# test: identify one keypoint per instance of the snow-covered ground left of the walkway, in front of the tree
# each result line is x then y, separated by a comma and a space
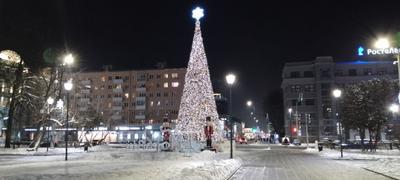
114, 162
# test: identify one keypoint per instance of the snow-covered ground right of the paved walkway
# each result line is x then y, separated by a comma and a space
386, 162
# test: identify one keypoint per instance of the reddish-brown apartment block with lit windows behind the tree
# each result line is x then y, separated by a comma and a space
126, 98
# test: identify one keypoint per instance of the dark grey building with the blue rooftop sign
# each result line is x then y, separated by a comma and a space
307, 92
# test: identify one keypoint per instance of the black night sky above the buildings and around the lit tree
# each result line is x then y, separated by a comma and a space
250, 38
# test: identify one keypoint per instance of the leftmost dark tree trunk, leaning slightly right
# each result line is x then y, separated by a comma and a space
13, 104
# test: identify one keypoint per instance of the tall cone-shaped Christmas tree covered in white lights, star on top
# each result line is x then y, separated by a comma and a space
197, 101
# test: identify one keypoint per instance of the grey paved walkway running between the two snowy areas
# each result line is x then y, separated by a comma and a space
290, 163
